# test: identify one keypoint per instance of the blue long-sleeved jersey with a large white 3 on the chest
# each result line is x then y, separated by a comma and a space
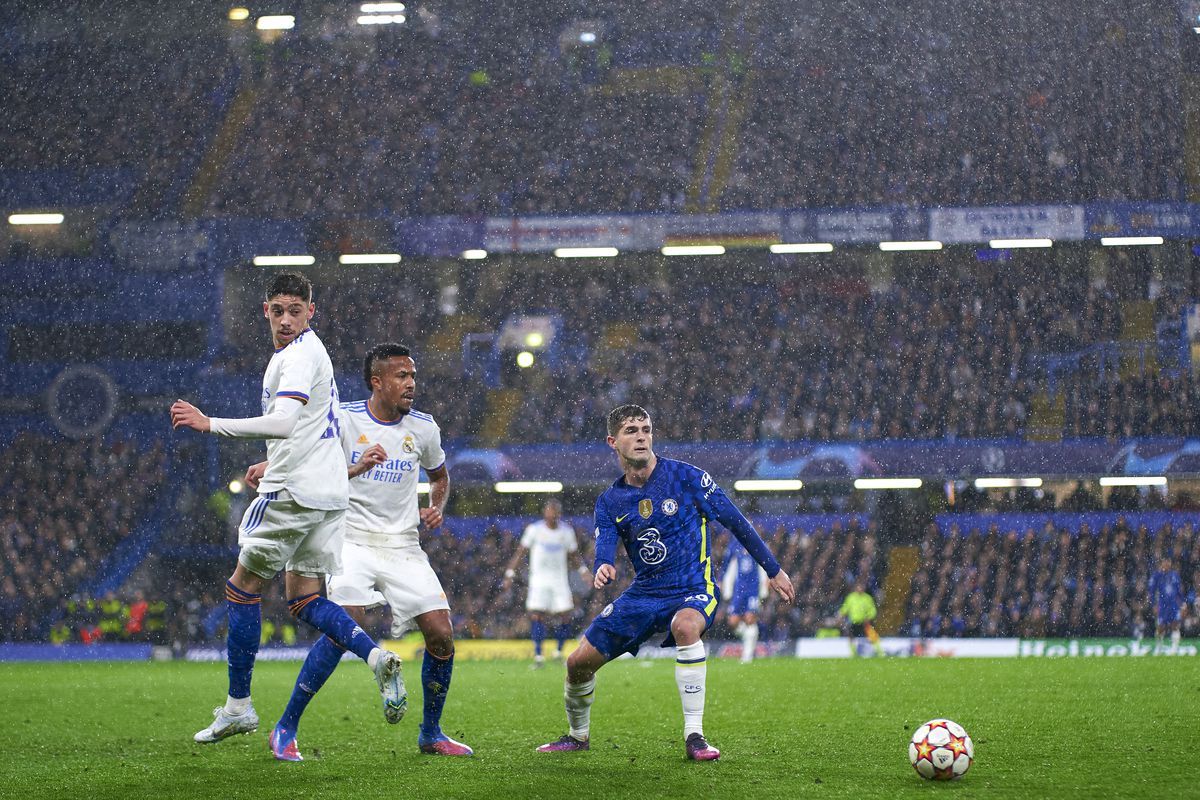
665, 528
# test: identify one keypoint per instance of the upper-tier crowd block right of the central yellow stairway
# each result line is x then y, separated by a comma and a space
959, 105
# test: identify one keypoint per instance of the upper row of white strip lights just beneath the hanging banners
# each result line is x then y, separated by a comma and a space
712, 250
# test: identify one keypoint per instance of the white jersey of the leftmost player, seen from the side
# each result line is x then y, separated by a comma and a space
309, 465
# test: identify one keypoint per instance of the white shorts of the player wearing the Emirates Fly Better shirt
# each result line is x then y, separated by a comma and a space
398, 576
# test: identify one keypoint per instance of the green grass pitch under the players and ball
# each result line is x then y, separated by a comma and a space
1066, 729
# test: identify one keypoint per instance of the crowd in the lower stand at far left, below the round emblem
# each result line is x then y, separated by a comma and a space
64, 508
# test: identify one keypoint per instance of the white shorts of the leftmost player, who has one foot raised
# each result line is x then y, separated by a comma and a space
278, 534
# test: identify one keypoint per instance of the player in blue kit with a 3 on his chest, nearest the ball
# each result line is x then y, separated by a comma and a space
659, 510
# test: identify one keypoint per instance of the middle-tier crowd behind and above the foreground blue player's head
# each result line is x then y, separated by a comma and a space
937, 358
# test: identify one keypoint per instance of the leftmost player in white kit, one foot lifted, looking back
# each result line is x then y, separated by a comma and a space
296, 524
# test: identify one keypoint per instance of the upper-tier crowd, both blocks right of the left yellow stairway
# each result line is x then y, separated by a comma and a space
844, 106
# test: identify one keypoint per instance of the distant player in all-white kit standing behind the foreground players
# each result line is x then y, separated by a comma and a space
548, 543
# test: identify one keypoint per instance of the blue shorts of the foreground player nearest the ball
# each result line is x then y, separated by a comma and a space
627, 623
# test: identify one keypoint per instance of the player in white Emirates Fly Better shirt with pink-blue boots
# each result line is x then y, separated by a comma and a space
387, 443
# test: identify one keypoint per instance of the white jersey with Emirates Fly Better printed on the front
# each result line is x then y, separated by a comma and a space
383, 501
